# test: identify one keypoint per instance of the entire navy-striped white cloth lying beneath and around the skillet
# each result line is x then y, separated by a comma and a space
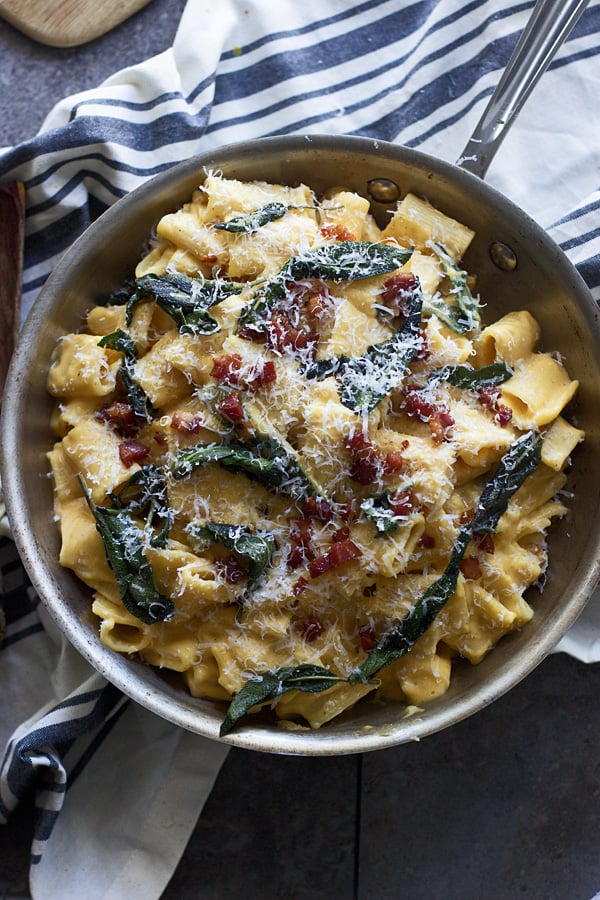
416, 72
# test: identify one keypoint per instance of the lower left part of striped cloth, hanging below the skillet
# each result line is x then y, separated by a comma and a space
135, 784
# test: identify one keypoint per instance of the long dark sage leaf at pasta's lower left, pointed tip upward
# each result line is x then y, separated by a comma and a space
124, 548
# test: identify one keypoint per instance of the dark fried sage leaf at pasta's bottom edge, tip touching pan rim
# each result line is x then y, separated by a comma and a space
263, 688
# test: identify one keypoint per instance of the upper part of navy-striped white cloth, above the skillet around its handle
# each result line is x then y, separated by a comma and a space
415, 73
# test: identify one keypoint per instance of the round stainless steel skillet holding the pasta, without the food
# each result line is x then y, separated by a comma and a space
542, 280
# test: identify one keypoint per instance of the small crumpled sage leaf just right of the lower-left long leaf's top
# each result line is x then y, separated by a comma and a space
145, 495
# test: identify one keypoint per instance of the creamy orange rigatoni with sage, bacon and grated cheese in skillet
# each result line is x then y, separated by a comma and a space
293, 463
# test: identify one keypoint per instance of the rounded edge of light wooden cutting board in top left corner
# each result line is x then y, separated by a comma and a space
67, 23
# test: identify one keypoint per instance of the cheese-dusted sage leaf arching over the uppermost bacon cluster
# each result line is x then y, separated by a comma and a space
339, 261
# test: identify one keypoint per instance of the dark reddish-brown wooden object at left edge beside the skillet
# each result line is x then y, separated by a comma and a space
12, 219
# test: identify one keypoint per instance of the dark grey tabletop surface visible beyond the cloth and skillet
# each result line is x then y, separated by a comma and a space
502, 806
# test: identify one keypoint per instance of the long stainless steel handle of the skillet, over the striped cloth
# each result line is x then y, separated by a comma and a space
550, 23
